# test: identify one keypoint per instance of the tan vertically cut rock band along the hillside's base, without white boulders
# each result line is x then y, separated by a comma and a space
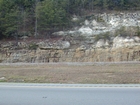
93, 55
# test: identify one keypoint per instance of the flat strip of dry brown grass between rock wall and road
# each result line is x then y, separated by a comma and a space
63, 73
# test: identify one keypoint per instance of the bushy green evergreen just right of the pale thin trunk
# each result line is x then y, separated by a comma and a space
51, 15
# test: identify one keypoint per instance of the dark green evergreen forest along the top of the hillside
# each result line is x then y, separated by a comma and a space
41, 17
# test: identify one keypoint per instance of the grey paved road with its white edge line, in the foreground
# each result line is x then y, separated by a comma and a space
69, 94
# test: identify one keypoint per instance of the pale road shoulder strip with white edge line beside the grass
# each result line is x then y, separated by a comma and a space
33, 85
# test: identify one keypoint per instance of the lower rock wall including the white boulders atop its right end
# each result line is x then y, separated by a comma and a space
123, 49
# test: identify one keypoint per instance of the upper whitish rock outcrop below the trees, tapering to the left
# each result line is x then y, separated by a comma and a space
101, 23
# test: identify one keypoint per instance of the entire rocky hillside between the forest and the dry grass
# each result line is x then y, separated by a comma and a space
104, 37
